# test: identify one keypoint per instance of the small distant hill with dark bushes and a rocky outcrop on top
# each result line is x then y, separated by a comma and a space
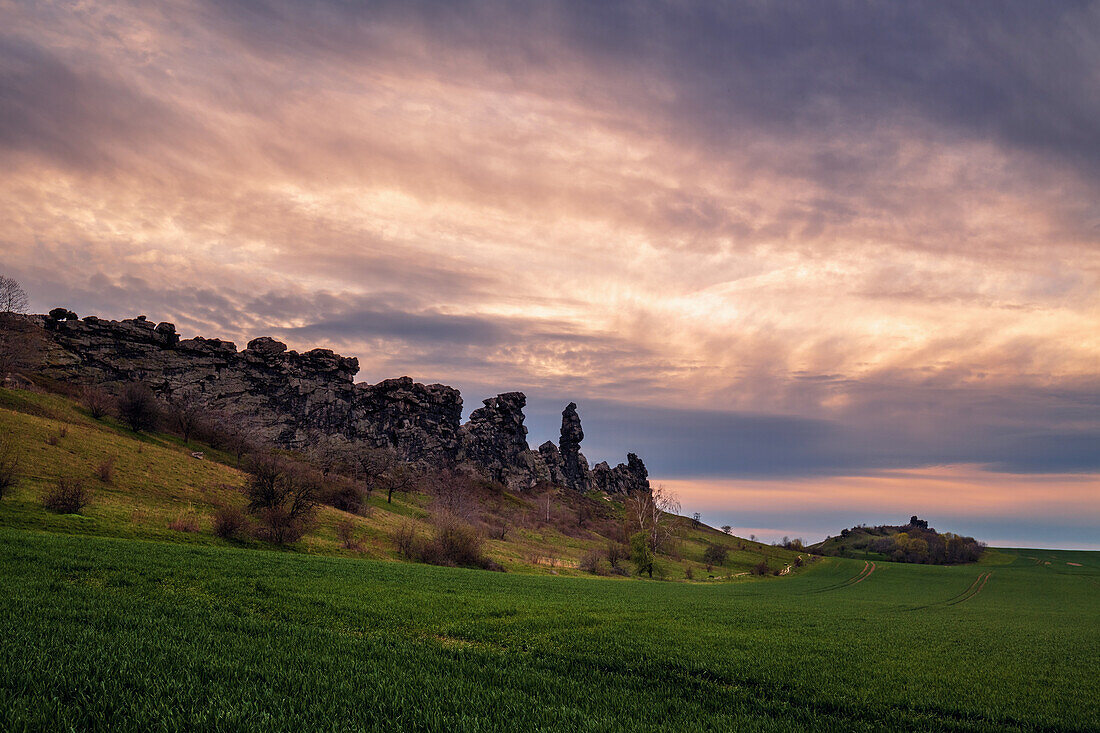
915, 542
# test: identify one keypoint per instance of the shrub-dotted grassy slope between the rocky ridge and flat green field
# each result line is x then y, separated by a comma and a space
155, 480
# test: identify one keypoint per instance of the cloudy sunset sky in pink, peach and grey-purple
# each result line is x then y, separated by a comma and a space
818, 264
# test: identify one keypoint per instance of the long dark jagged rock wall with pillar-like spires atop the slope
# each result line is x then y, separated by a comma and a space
290, 396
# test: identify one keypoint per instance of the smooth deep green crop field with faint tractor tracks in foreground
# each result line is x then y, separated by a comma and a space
166, 637
